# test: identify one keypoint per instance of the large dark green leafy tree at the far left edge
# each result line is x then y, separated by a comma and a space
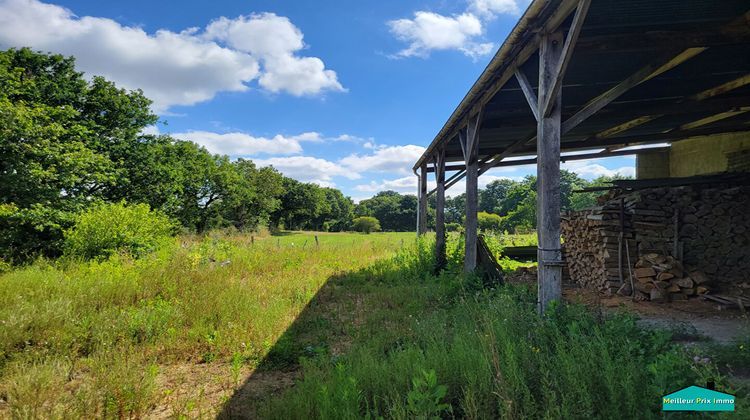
57, 136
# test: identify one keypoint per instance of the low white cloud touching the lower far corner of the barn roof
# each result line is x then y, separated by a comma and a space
395, 159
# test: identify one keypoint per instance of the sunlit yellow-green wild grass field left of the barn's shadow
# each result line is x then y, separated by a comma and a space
89, 339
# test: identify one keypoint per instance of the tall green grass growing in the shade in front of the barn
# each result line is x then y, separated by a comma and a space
490, 354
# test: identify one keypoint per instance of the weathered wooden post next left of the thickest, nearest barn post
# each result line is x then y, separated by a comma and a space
470, 146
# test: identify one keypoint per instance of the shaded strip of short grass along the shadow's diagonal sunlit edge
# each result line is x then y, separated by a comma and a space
321, 328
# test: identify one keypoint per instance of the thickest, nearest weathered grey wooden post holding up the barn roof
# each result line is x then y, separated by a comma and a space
548, 175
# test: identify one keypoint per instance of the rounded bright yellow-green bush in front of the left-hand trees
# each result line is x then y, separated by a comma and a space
109, 228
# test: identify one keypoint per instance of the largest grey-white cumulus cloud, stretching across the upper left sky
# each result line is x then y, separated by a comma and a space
173, 68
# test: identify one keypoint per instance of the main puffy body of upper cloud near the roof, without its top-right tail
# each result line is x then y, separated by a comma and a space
429, 31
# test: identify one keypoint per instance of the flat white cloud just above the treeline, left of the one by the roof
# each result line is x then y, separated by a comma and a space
309, 169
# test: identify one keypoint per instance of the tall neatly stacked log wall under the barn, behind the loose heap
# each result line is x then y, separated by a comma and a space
706, 228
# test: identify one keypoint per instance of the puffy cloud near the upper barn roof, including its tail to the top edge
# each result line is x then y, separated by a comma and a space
429, 31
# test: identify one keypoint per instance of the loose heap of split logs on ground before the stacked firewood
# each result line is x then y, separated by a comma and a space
660, 278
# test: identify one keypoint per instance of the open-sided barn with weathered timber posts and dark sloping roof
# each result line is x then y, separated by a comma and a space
582, 79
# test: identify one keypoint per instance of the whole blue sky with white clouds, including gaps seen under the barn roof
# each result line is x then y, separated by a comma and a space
341, 93
